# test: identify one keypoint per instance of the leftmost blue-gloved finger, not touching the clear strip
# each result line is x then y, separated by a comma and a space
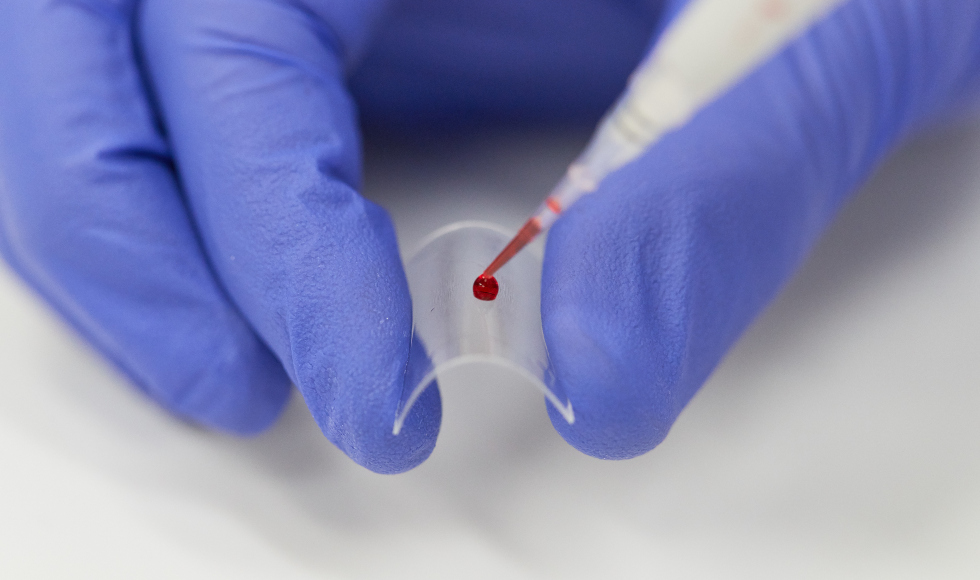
92, 218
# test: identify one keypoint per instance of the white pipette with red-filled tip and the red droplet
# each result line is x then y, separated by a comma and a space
711, 45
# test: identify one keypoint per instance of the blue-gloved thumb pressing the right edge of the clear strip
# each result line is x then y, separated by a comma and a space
648, 281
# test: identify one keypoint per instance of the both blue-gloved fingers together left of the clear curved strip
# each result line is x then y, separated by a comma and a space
178, 178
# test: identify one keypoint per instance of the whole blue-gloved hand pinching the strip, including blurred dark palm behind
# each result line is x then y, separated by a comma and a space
186, 195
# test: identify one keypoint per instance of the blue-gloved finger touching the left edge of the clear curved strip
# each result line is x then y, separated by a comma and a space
264, 133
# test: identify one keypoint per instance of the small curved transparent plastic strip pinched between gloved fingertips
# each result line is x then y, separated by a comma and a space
453, 328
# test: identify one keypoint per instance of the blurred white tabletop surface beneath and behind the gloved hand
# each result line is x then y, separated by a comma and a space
838, 440
